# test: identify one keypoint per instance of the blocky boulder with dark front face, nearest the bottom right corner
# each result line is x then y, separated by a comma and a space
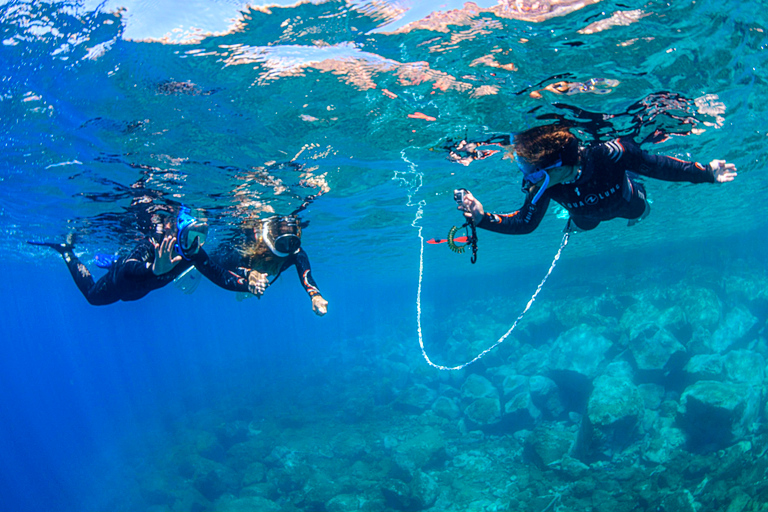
715, 414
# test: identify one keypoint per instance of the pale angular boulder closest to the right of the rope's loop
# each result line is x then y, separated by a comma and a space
581, 350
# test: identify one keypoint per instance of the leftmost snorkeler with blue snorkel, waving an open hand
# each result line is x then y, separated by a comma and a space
174, 247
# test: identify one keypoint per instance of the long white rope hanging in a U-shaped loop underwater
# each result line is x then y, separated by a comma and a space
419, 214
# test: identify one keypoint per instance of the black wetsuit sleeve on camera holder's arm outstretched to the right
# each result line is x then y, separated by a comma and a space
629, 154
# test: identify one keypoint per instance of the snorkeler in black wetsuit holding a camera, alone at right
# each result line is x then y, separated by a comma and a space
594, 184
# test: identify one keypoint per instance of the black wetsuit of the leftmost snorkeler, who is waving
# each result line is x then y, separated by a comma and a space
131, 277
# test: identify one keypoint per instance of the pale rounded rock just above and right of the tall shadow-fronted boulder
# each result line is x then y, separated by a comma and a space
655, 348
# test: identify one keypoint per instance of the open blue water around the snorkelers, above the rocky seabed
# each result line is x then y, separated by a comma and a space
234, 109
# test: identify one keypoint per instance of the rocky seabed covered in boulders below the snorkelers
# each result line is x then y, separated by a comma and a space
651, 398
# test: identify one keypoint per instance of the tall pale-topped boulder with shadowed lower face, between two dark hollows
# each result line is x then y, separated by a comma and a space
613, 411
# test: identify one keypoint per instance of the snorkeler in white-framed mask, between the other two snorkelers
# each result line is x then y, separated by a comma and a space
267, 247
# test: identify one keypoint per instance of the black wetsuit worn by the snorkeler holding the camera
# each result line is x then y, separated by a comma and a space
605, 189
